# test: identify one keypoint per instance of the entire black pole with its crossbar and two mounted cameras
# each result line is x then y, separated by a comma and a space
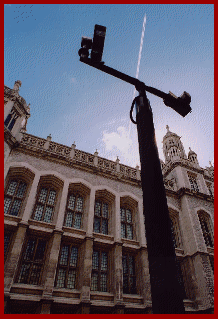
165, 289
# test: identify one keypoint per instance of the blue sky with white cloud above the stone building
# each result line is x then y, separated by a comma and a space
77, 103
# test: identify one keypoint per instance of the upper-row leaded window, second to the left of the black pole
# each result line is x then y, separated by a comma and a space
101, 217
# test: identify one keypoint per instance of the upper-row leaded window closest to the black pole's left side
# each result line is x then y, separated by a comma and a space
126, 223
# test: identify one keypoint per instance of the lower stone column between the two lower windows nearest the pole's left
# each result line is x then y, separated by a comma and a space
118, 274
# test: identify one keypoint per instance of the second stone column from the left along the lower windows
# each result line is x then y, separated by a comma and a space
51, 262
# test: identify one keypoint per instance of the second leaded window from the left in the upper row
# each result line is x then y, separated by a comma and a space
44, 208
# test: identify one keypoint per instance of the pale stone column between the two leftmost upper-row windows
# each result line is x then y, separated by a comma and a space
31, 198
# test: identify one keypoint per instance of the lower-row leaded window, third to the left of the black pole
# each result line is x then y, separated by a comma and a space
67, 267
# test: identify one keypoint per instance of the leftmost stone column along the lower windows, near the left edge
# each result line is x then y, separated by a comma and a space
12, 261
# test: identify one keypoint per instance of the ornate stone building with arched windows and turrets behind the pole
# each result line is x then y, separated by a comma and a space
74, 231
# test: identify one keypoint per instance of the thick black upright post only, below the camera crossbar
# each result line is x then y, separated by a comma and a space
165, 289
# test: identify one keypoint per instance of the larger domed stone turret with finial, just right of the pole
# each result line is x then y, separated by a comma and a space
172, 147
